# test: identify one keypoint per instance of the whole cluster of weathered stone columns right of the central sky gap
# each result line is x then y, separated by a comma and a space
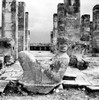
69, 25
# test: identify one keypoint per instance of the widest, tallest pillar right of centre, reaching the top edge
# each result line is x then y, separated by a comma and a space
72, 19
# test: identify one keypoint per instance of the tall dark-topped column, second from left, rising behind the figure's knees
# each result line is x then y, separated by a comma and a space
21, 26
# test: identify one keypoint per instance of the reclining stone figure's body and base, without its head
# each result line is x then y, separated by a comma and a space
40, 80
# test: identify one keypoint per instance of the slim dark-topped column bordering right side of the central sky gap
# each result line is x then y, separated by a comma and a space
55, 32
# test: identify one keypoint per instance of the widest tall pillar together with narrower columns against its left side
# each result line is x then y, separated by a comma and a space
68, 22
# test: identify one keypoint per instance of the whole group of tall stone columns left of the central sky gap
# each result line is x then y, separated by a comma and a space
15, 24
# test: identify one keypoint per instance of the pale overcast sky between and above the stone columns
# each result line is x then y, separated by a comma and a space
41, 16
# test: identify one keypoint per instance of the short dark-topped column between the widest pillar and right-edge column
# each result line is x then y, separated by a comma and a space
85, 27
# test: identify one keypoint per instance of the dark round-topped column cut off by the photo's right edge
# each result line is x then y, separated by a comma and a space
96, 28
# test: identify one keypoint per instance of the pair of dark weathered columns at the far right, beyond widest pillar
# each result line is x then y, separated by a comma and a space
90, 30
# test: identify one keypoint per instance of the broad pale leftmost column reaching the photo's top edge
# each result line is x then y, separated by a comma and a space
9, 19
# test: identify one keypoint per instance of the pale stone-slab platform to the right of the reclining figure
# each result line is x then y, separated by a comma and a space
88, 78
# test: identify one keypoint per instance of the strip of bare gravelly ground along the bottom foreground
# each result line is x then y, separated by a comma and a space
71, 94
